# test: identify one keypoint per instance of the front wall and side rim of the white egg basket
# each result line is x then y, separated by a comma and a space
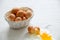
17, 25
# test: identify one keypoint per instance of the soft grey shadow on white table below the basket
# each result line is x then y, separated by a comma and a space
16, 34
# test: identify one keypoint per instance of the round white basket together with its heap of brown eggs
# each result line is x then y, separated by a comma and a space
19, 17
